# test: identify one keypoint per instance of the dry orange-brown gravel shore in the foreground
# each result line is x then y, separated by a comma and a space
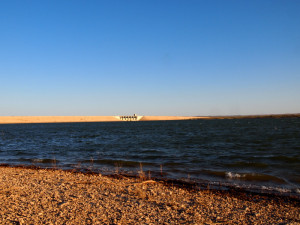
40, 196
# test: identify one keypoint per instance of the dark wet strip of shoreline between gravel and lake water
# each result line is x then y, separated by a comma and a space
188, 184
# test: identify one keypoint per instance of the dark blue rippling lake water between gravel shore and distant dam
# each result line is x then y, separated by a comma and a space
259, 153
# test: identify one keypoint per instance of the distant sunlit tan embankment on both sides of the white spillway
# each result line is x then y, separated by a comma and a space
78, 119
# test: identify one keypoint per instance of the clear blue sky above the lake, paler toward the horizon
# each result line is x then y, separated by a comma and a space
158, 57
